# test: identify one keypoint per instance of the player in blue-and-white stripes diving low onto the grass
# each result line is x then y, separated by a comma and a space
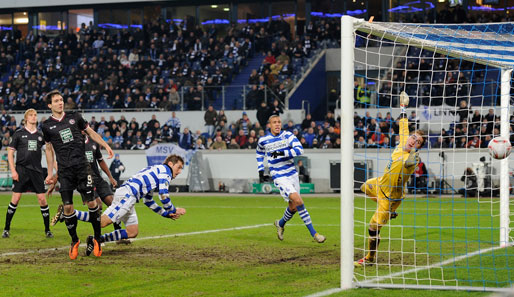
141, 187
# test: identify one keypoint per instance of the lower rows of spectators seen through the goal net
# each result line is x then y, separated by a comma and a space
471, 128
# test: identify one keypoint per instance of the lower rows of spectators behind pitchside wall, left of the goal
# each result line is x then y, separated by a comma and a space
219, 133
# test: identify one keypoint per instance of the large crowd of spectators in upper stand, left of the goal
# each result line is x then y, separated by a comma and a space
141, 68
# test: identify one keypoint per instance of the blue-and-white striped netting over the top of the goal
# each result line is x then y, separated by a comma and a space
490, 44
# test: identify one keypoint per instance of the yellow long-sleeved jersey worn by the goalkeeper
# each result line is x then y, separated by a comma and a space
400, 167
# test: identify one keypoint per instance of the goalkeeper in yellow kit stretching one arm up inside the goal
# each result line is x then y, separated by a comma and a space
388, 189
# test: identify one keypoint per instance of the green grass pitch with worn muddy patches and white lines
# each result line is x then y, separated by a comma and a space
204, 254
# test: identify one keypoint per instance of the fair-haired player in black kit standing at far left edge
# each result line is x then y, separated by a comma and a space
27, 173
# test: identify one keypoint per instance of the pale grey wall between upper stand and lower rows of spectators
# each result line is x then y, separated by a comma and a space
190, 119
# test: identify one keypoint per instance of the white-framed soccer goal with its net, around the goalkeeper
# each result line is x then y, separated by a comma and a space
452, 230
